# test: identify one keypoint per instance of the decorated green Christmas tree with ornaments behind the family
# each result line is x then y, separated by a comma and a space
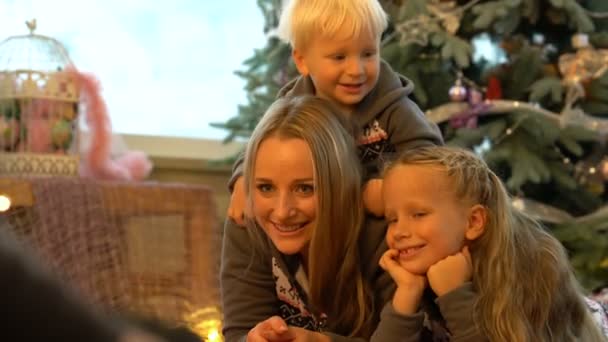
535, 104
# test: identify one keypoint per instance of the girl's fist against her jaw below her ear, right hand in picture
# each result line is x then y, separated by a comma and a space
450, 272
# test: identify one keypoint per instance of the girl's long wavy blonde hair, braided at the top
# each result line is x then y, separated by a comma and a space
526, 288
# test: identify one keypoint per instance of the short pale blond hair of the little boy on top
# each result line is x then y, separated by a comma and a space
301, 20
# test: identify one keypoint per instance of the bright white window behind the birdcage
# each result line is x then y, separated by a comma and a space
166, 67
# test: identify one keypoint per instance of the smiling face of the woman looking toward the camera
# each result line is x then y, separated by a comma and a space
284, 196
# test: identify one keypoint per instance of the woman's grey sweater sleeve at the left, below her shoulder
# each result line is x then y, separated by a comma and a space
246, 283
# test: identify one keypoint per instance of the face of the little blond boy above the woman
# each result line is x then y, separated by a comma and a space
344, 69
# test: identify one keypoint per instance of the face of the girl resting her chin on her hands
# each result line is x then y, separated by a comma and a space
426, 221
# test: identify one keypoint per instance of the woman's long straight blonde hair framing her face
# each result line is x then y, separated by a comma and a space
336, 284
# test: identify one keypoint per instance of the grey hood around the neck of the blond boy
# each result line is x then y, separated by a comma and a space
390, 88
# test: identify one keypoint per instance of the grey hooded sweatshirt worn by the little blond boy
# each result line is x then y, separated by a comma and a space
388, 121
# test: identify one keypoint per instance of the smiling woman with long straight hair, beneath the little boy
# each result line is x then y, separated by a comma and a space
305, 263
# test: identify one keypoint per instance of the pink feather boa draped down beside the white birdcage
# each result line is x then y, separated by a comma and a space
97, 162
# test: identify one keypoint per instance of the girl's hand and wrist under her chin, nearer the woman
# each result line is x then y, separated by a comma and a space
409, 286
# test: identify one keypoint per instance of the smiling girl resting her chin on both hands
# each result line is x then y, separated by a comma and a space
494, 273
